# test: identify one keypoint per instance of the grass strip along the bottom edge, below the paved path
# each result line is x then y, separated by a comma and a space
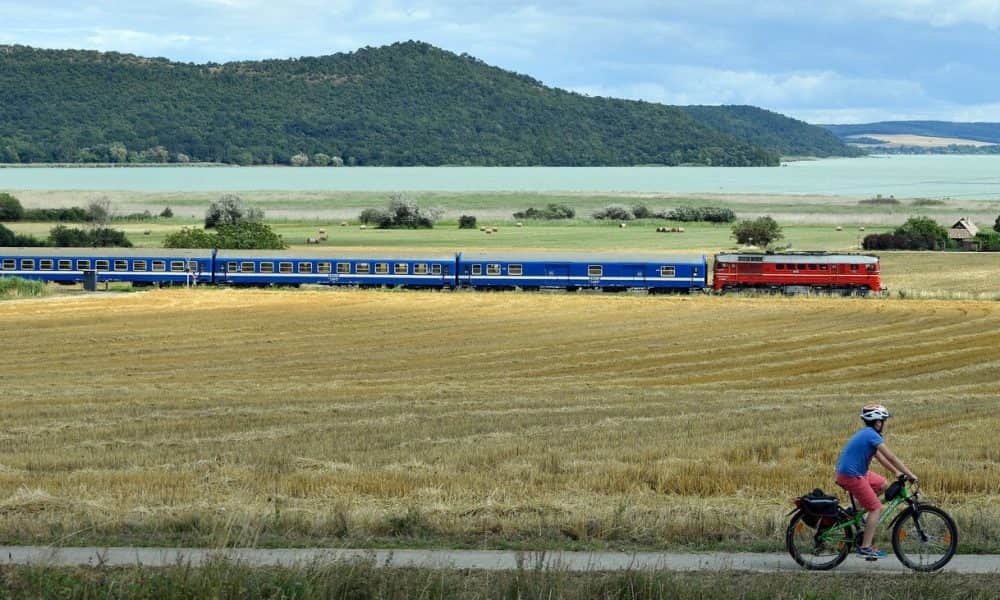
364, 579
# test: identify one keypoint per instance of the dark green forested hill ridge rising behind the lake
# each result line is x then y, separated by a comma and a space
405, 104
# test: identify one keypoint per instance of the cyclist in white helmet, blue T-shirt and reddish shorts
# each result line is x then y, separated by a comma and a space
854, 476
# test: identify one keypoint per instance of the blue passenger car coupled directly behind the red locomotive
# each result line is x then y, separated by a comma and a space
609, 272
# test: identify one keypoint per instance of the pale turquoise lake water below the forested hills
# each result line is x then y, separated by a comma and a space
967, 177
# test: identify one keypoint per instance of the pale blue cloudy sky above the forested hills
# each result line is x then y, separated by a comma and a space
833, 61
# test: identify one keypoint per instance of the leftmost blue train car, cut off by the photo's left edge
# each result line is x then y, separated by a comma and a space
136, 265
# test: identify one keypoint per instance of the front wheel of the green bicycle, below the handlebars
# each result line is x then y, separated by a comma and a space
924, 538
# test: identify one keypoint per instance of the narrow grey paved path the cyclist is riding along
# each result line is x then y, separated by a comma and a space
462, 559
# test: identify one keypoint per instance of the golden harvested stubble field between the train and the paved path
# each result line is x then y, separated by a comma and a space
347, 417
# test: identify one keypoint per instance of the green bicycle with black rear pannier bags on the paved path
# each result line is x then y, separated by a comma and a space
924, 537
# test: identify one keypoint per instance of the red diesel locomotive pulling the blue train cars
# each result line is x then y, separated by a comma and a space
797, 272
